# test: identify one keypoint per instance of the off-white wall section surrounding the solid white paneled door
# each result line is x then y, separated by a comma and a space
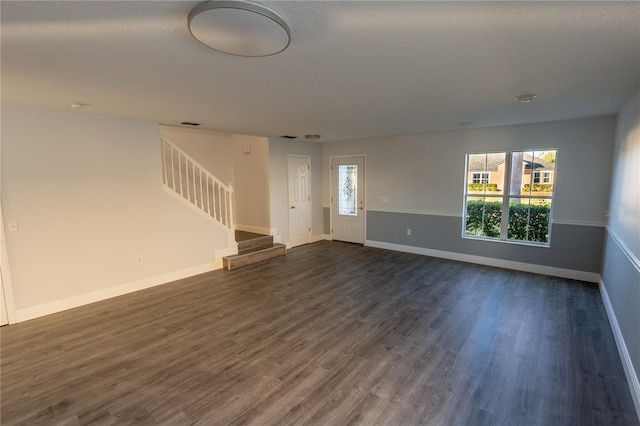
278, 185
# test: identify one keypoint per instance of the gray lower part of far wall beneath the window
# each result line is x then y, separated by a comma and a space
575, 247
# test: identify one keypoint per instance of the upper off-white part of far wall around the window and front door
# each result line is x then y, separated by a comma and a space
425, 173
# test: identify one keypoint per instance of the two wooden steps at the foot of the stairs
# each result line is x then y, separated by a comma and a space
253, 248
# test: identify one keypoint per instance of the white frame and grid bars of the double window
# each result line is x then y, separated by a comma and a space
506, 196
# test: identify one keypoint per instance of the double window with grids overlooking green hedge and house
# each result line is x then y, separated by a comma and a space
516, 207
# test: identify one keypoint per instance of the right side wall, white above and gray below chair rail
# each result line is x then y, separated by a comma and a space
620, 264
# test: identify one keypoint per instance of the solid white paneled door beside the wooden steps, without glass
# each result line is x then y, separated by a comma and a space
299, 200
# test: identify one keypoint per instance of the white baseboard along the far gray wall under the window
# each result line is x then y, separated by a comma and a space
500, 263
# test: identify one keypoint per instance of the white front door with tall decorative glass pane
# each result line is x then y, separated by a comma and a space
347, 199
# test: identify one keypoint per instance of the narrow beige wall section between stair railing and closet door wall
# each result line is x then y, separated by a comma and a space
251, 190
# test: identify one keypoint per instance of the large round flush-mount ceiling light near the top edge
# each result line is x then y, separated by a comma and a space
239, 28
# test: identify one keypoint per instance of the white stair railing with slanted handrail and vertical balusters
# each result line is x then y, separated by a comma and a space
183, 176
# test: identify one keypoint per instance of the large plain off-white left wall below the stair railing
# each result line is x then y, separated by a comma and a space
86, 193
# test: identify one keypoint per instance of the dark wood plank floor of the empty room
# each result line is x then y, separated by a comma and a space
331, 334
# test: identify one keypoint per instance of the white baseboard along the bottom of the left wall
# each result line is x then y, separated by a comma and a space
107, 293
